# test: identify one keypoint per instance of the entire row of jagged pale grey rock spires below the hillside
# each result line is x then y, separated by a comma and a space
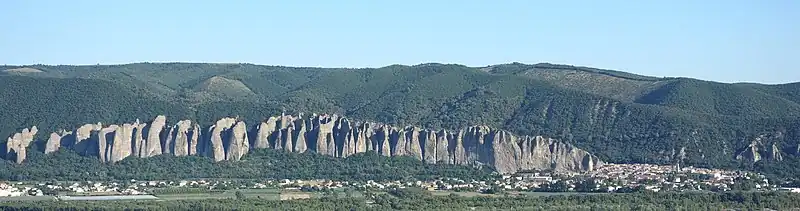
332, 135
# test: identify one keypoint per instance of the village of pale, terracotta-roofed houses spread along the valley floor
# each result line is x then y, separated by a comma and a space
611, 178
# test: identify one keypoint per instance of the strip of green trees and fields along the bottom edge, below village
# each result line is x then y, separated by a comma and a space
415, 199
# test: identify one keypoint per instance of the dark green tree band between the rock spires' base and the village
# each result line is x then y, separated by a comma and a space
66, 165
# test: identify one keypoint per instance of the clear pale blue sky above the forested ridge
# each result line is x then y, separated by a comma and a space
721, 40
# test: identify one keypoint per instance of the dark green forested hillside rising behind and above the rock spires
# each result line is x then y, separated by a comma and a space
618, 116
